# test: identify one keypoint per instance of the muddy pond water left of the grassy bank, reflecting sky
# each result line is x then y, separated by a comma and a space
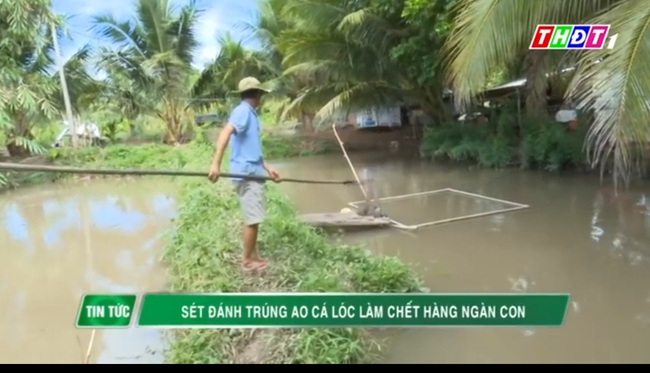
60, 241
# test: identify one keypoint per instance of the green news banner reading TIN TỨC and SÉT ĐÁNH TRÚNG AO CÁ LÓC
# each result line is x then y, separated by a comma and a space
299, 310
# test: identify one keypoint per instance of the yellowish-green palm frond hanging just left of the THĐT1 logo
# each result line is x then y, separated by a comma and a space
489, 34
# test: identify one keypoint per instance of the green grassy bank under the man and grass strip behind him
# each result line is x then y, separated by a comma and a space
203, 255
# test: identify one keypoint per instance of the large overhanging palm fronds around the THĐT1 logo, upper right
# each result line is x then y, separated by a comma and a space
613, 84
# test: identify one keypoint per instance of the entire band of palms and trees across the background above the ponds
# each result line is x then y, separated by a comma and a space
336, 55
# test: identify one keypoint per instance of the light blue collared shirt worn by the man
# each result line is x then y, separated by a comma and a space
246, 143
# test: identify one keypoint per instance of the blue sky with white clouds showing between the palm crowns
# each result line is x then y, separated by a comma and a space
218, 17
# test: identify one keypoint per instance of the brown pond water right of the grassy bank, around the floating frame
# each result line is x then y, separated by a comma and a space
575, 237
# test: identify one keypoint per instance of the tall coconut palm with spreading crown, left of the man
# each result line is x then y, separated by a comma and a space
154, 50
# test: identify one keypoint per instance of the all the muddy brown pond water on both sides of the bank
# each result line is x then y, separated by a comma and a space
60, 241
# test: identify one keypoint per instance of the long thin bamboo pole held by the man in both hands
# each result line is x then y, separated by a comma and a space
86, 171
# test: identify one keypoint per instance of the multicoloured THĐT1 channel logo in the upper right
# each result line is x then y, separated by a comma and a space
572, 37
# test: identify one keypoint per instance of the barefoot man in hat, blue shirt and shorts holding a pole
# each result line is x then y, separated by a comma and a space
246, 158
